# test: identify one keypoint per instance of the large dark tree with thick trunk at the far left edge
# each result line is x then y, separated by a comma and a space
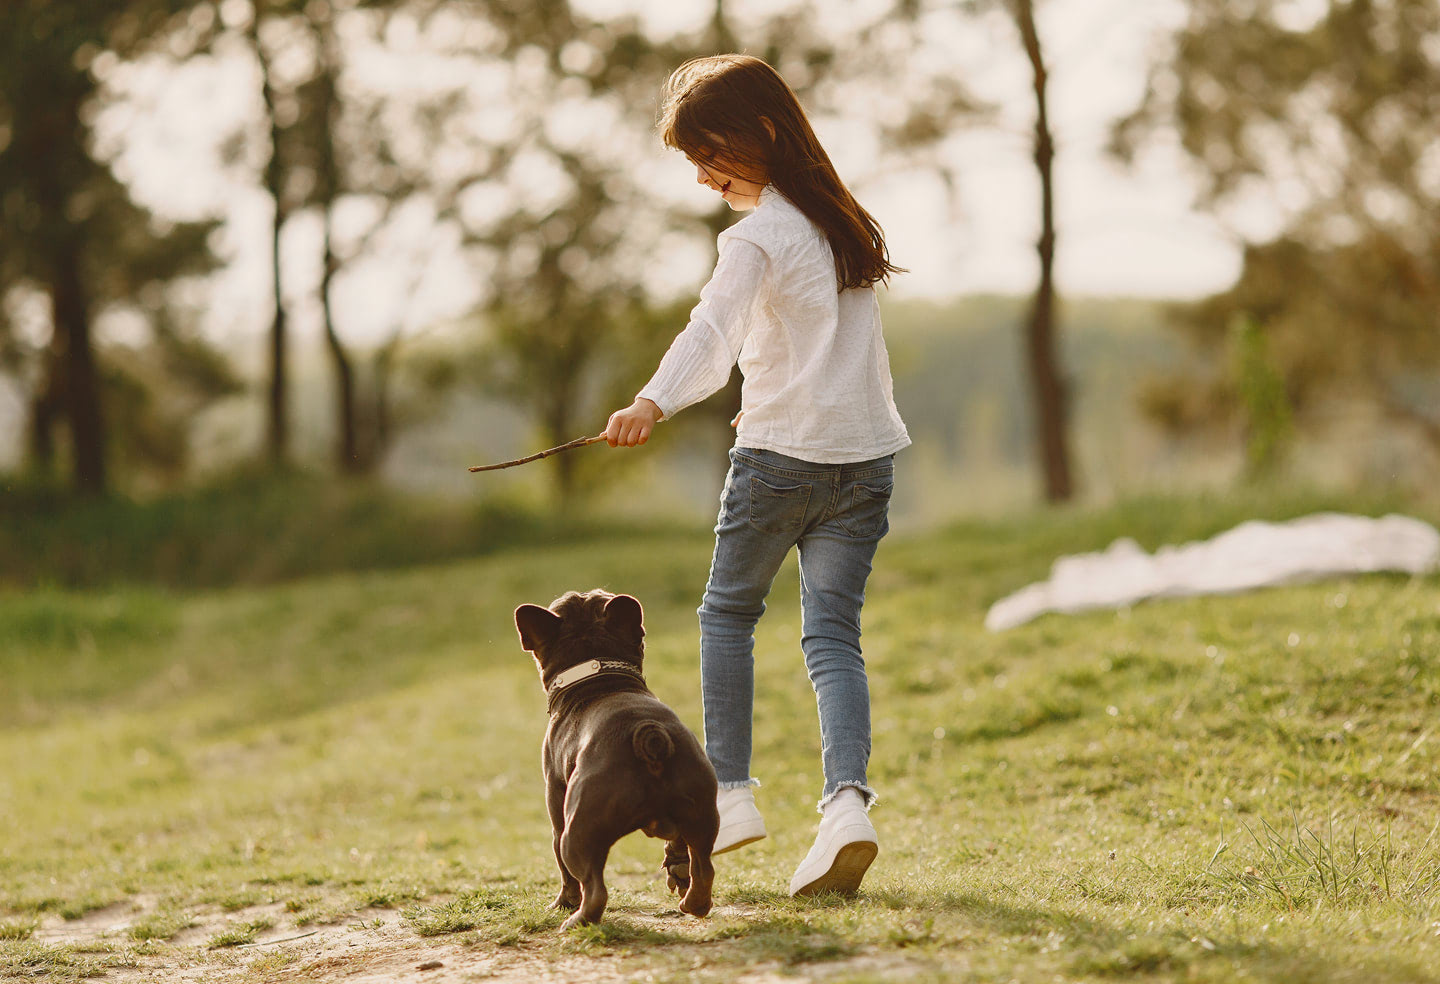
70, 228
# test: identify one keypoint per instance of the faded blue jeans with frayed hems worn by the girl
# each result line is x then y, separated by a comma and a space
836, 516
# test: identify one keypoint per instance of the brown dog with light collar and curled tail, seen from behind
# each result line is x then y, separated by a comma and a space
616, 759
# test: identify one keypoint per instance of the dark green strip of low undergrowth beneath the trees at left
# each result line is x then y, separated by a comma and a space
257, 529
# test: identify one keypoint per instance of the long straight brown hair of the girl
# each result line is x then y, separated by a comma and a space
737, 115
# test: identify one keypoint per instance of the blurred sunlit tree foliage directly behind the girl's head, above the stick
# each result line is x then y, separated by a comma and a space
572, 313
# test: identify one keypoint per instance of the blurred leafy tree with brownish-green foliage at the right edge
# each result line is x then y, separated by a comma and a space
1327, 126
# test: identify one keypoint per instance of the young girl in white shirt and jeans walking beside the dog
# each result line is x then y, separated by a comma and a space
793, 300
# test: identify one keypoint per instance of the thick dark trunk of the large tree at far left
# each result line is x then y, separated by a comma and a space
70, 309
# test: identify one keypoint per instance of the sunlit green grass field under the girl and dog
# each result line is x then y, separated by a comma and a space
1206, 790
